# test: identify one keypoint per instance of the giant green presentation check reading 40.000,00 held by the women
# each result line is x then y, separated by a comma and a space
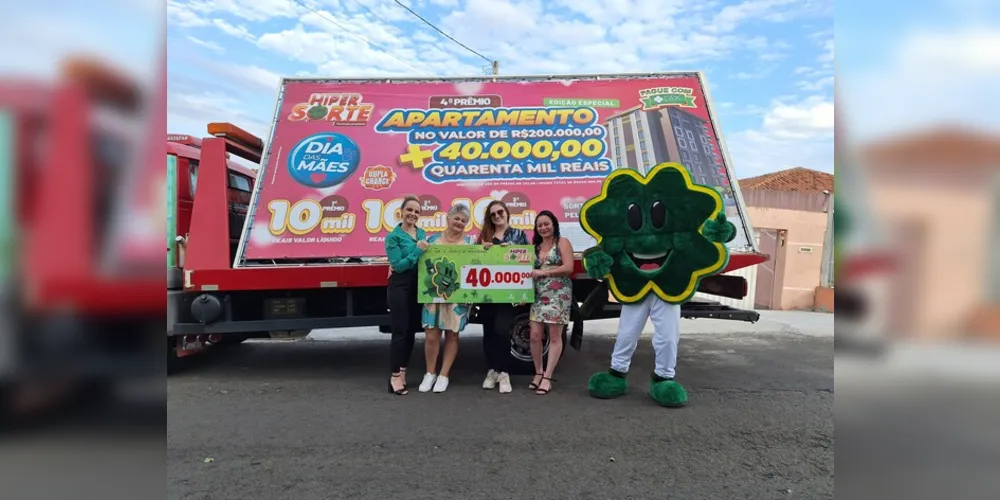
470, 274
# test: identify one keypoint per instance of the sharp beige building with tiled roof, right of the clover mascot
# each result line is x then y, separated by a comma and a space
788, 210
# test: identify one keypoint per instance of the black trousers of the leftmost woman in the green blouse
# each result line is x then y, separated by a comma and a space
404, 317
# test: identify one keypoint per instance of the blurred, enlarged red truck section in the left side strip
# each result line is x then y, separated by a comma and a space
82, 303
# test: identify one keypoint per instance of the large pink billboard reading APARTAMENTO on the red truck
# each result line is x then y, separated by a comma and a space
343, 154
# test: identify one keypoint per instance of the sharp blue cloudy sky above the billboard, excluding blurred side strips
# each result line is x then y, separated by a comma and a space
769, 63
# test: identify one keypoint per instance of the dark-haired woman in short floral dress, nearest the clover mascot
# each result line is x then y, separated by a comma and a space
553, 297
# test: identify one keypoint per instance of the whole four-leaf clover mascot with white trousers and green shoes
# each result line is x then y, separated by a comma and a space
657, 237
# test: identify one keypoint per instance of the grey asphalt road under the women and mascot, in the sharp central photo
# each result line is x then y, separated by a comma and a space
311, 419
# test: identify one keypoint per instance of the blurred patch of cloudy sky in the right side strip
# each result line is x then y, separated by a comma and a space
906, 67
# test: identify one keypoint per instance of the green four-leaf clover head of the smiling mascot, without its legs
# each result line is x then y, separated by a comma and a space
660, 233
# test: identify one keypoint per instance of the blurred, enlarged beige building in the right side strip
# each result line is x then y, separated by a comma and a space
936, 195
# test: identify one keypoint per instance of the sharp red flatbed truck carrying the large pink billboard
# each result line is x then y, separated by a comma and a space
343, 153
